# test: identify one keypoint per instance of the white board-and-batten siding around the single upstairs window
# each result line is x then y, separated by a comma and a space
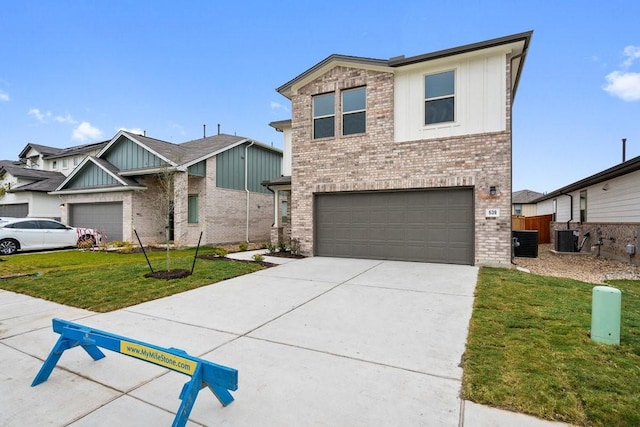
480, 92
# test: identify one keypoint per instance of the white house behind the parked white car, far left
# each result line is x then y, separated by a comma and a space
25, 184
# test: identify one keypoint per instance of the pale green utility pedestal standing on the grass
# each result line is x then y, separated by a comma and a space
605, 315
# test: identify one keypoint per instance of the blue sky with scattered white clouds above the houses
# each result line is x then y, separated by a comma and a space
74, 72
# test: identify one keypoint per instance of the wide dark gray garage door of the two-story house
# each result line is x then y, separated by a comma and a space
427, 225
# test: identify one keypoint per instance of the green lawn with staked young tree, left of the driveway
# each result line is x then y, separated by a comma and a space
106, 281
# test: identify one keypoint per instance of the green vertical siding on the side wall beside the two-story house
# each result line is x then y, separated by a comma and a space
262, 164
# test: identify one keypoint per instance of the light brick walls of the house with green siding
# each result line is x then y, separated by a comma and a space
222, 212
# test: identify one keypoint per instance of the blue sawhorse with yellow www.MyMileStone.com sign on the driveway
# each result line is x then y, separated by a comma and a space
219, 379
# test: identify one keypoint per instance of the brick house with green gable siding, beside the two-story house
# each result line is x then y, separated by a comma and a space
215, 190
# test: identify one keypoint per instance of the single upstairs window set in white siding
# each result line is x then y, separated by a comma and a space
439, 95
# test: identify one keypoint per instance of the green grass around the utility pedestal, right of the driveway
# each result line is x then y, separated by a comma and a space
529, 351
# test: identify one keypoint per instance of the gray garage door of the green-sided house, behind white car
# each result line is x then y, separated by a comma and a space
105, 217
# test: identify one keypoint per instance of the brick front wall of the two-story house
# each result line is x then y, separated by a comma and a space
373, 161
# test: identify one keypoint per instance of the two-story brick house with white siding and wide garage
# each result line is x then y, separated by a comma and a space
406, 158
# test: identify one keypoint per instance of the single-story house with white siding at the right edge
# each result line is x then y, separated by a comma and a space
605, 205
